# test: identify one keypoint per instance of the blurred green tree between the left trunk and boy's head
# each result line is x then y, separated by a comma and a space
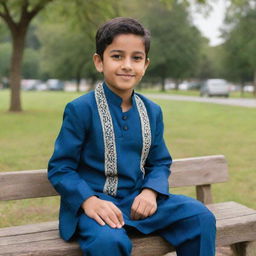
73, 39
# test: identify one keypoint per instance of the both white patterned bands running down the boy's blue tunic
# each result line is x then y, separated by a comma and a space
110, 155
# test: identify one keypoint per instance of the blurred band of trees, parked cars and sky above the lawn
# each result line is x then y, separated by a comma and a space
192, 41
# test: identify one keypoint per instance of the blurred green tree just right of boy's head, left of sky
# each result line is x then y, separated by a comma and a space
175, 43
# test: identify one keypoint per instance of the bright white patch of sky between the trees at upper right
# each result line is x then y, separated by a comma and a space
209, 26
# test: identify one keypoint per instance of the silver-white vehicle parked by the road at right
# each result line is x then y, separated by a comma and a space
215, 87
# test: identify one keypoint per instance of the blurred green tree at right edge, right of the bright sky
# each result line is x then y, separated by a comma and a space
240, 46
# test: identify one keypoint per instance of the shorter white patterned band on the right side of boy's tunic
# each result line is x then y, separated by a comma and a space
146, 131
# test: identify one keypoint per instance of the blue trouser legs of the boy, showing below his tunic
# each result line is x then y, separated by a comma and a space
193, 236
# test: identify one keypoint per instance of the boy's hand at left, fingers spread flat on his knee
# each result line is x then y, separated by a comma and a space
104, 212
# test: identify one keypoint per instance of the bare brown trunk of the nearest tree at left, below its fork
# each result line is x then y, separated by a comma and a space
18, 44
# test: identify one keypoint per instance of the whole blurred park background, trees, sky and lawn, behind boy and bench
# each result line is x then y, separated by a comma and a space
199, 49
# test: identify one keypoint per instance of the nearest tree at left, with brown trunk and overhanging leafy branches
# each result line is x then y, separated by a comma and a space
18, 14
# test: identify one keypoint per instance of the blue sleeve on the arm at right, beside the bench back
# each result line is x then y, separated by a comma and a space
157, 167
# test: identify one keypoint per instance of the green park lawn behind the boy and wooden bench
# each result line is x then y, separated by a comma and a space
191, 129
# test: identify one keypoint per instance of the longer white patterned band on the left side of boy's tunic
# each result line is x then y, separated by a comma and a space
111, 182
